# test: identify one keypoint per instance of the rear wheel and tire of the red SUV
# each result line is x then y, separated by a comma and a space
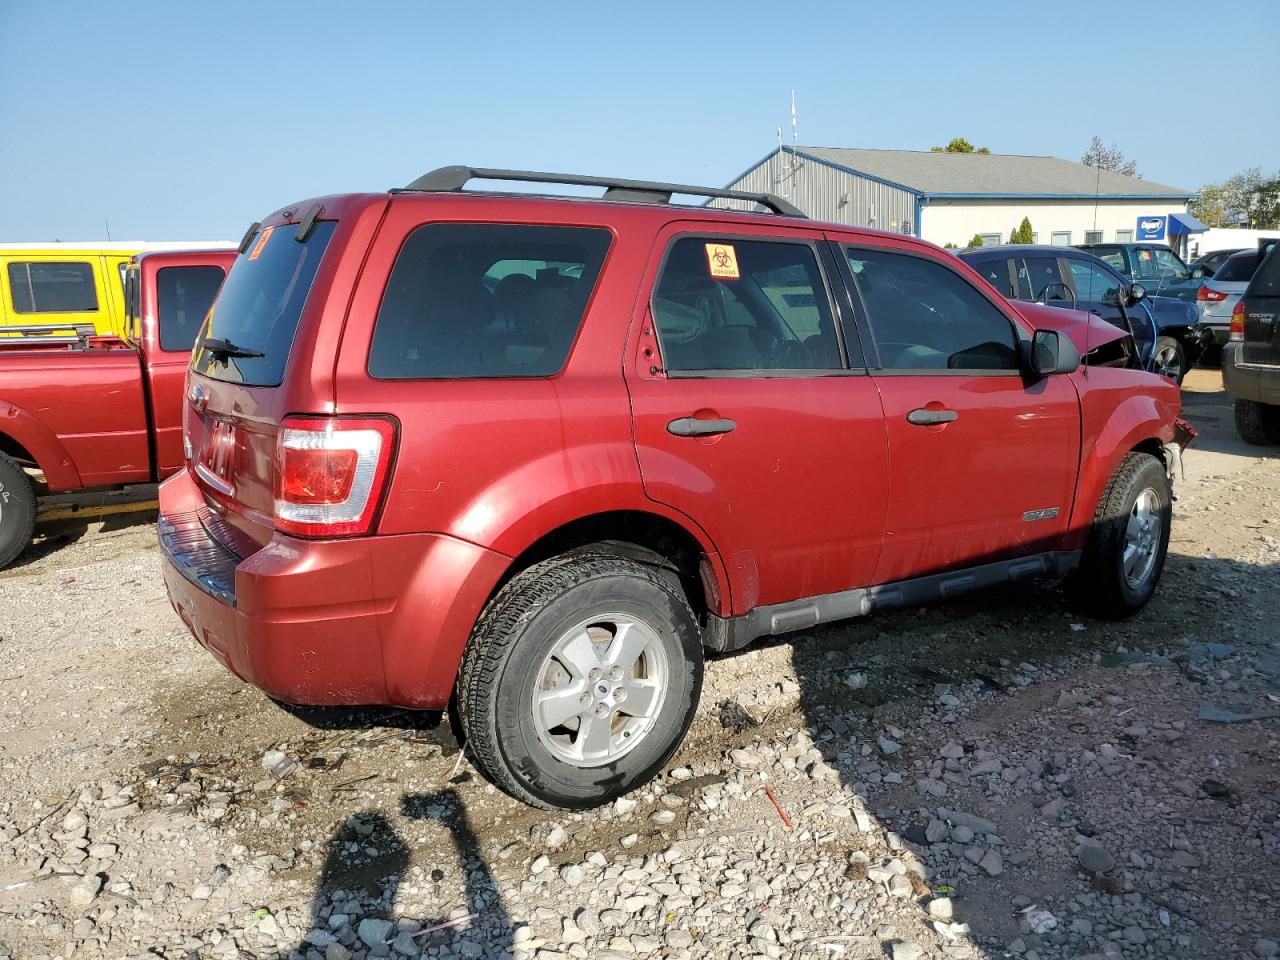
580, 680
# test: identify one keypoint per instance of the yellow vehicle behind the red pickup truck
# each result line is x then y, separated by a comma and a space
71, 284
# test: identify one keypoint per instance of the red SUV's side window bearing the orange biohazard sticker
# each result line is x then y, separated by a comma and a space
744, 305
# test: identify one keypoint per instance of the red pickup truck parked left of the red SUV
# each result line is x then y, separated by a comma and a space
80, 410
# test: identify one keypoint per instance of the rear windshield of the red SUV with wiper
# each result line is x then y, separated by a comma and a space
259, 307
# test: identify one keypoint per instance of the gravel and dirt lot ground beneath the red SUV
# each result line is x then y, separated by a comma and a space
1000, 776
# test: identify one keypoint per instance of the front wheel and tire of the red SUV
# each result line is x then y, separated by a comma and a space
1130, 540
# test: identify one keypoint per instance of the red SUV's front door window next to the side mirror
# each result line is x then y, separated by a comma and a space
925, 317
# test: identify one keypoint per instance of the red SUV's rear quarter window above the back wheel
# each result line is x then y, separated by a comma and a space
486, 300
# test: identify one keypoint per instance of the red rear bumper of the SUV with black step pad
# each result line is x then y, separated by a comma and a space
374, 620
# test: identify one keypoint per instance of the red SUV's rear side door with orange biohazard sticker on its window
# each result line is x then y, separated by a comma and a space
753, 413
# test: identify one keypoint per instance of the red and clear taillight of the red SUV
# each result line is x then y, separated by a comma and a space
331, 474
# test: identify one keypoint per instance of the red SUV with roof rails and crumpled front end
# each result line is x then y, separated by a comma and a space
537, 455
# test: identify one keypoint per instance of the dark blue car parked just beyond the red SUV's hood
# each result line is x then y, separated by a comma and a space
1067, 277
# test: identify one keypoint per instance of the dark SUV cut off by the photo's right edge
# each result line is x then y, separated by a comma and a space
1251, 360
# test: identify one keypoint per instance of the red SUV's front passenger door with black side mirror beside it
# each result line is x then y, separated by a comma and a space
984, 459
